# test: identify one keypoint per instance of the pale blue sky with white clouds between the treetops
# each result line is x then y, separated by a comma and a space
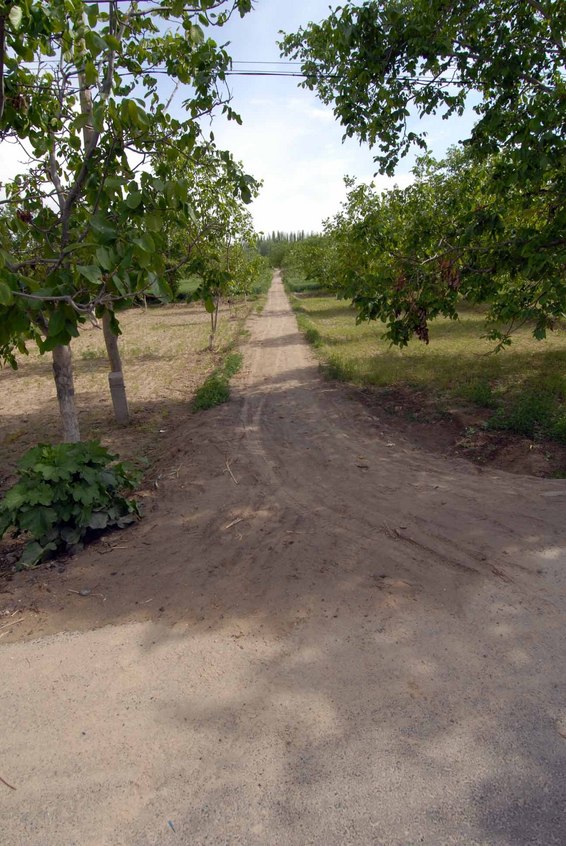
289, 139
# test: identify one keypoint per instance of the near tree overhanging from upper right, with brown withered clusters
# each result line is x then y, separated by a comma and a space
382, 63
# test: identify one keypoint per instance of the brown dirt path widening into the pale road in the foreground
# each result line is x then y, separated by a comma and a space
318, 635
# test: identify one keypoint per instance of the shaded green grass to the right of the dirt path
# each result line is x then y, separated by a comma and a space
524, 386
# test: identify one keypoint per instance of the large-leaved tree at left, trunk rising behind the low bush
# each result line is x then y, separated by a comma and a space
86, 226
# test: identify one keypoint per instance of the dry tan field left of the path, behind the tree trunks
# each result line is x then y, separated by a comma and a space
165, 358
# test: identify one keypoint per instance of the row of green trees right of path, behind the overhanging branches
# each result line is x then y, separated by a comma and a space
407, 256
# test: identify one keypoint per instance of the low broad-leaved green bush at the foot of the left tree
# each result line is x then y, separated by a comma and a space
63, 492
